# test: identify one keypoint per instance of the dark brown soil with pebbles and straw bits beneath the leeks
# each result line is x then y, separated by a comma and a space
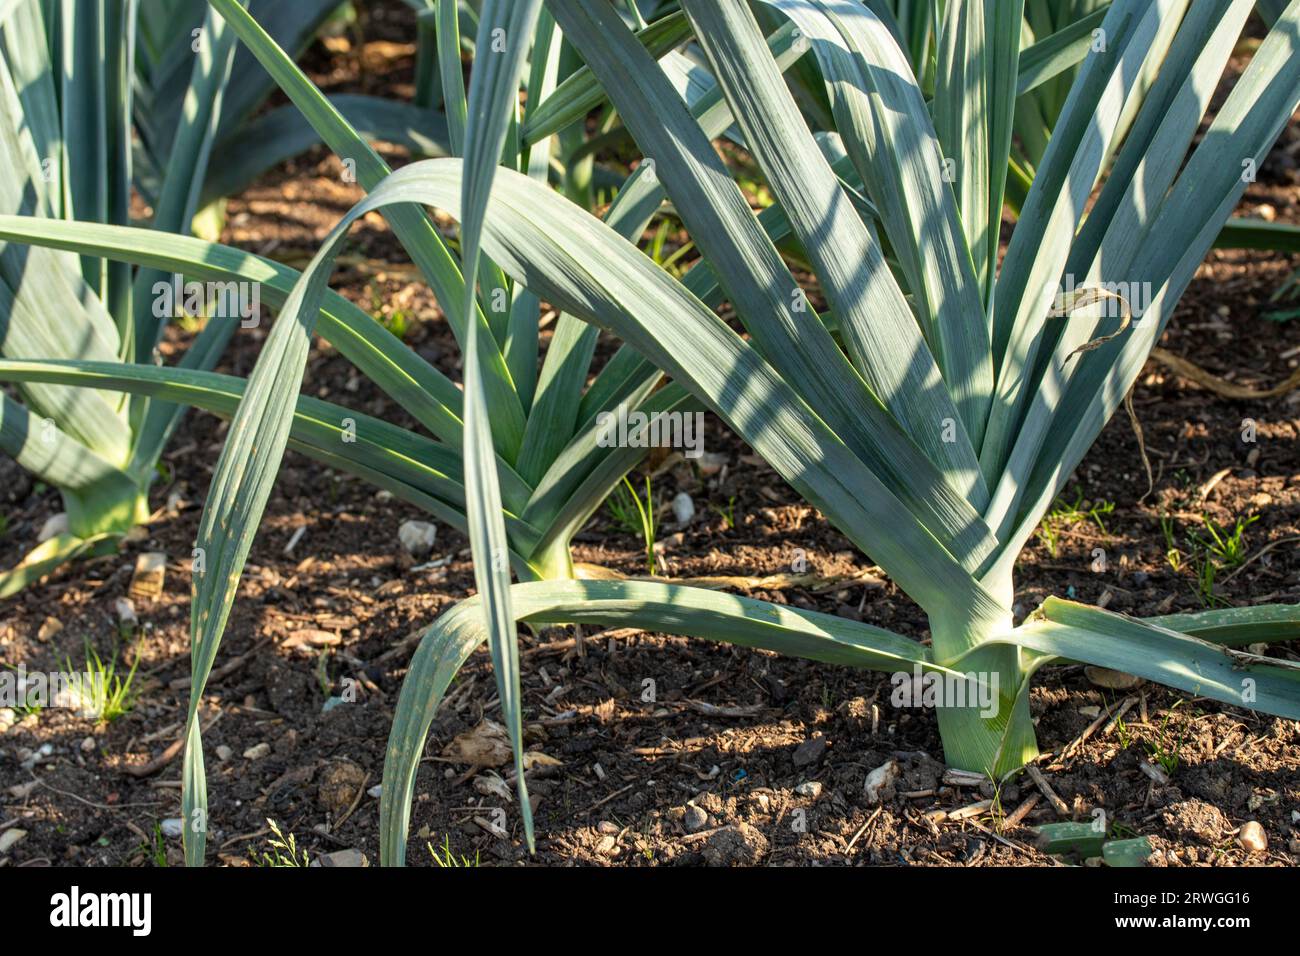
713, 771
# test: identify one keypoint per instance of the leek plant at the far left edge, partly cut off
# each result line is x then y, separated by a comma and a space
67, 84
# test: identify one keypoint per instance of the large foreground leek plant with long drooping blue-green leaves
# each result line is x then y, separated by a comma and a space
933, 413
